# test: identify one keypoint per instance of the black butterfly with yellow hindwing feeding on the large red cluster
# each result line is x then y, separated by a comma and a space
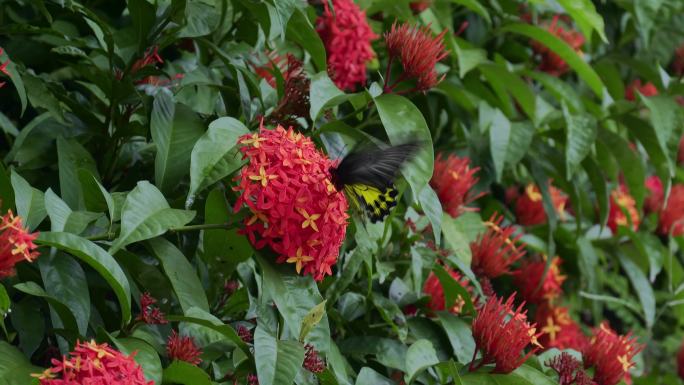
367, 177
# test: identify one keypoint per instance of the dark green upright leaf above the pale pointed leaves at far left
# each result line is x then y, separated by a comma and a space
71, 158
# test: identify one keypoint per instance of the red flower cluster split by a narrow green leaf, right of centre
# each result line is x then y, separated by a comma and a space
529, 209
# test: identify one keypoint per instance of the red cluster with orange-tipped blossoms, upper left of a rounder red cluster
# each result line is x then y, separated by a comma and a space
495, 250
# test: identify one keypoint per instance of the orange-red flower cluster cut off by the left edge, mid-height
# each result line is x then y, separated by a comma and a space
16, 244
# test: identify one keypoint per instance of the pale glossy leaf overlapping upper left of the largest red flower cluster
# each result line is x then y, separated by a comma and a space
214, 156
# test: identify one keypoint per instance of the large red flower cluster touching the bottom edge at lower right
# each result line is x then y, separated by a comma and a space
611, 354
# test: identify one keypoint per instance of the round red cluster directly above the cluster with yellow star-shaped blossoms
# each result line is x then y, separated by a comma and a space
537, 287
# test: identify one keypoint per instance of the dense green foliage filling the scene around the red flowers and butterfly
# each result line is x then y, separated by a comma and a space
126, 171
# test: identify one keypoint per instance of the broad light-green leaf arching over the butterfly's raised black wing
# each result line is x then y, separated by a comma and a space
403, 121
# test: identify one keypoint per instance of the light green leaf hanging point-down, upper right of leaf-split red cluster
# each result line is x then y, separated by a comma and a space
581, 134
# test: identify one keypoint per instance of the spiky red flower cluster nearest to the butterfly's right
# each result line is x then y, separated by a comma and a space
453, 180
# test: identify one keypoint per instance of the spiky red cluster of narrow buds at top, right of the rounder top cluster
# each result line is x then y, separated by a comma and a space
418, 52
